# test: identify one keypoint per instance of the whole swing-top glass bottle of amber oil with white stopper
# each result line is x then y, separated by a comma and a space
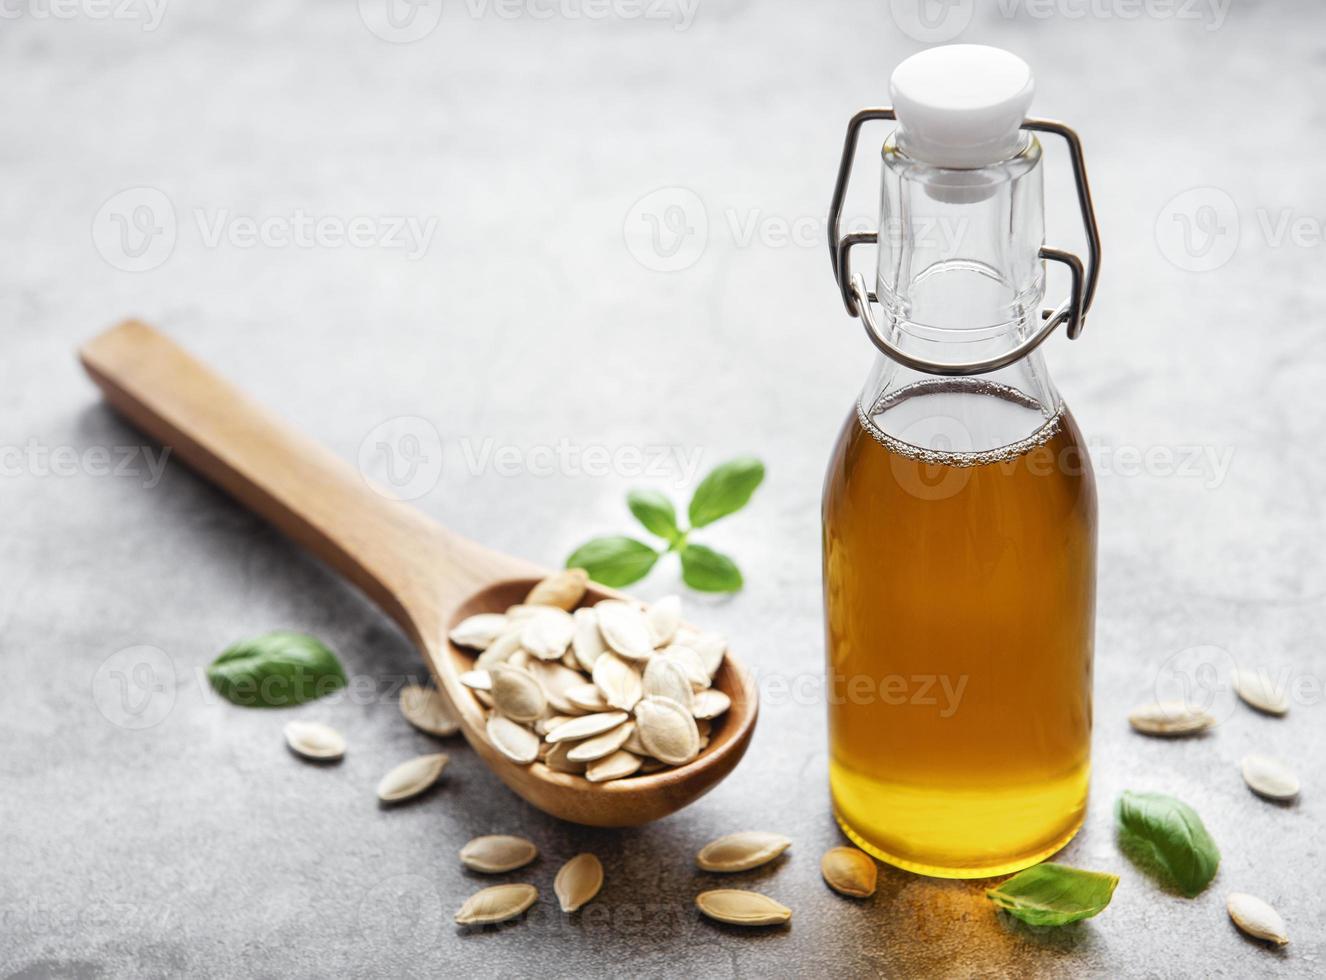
959, 506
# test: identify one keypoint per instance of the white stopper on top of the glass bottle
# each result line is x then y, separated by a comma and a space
962, 105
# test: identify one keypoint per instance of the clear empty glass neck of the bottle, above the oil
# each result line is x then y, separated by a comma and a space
961, 279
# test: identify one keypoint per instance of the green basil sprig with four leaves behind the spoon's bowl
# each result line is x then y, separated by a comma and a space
620, 560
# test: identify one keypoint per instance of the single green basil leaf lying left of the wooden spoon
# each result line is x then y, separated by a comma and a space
276, 670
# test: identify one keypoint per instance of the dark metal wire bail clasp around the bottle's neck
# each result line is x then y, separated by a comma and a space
857, 298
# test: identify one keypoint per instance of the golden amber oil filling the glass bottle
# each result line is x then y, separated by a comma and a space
961, 595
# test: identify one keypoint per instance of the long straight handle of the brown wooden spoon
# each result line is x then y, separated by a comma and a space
396, 555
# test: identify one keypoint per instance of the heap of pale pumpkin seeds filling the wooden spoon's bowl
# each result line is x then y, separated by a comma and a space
603, 692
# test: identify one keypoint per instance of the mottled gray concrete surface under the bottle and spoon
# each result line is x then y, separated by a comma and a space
148, 829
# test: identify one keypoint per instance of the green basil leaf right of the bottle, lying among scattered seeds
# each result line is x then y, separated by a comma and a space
1164, 833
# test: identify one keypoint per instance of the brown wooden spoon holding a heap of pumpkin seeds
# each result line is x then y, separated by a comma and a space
424, 576
